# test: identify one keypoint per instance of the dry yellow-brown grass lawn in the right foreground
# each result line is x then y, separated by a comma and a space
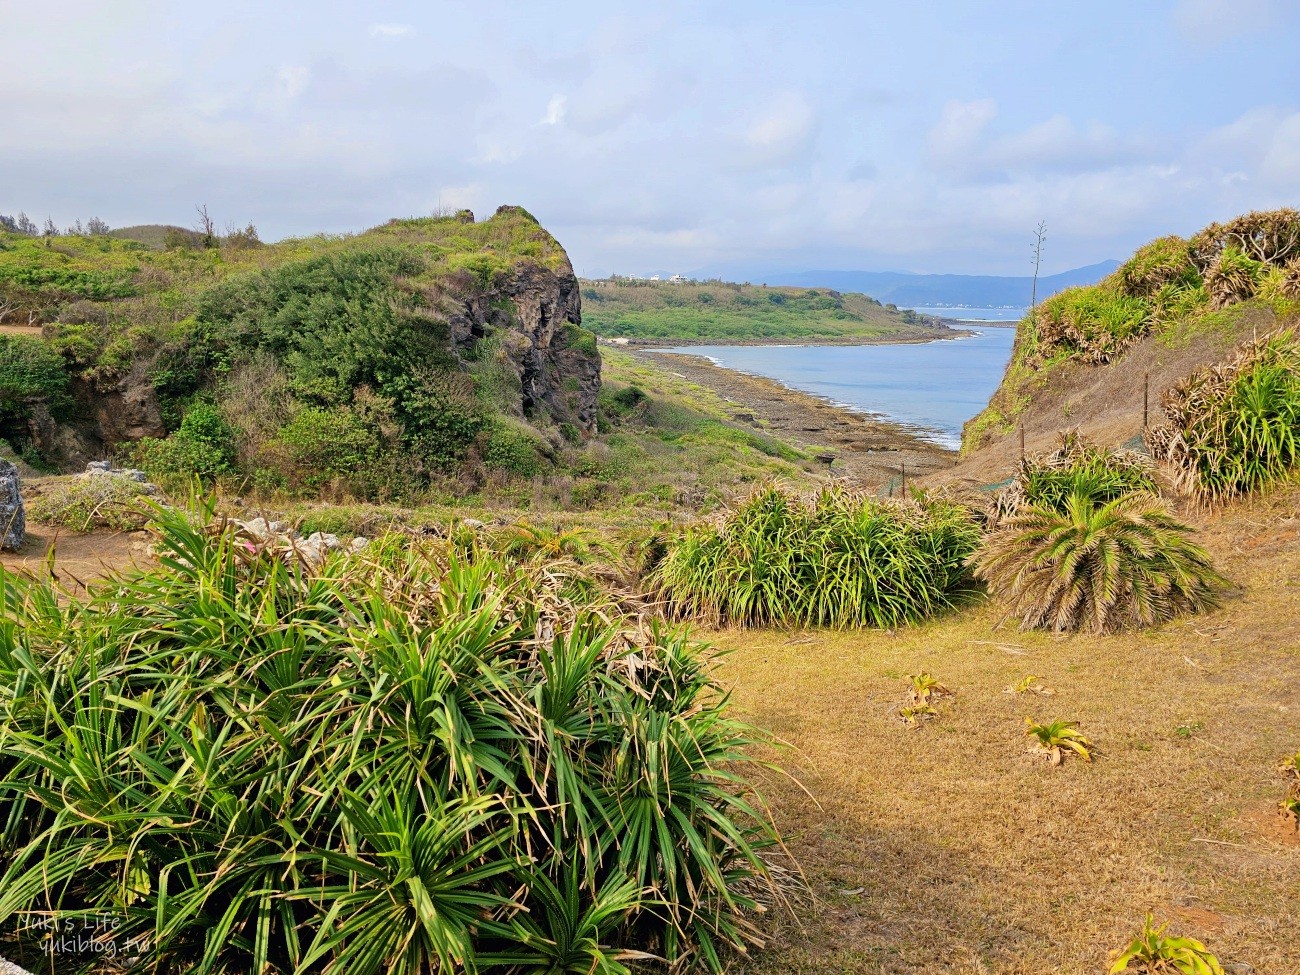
951, 848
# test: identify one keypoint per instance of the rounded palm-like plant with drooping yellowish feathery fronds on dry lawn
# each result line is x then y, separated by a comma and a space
1123, 565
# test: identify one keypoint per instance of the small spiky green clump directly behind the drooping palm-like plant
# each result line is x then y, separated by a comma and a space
1077, 467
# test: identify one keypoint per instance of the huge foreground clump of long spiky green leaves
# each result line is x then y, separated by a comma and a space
411, 760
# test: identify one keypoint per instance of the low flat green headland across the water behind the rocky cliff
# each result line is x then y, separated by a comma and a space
713, 310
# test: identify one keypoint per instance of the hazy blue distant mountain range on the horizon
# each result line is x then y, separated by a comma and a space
937, 291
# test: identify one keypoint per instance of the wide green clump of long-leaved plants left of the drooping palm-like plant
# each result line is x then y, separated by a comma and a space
835, 560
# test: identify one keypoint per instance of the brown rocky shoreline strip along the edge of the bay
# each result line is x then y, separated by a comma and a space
869, 452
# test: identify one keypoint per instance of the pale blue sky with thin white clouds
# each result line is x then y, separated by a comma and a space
709, 137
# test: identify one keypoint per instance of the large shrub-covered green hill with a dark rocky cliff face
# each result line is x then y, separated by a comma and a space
384, 359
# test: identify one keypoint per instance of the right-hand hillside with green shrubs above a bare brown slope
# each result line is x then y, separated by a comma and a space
1176, 305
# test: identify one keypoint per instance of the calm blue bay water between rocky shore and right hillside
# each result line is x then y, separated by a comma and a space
933, 387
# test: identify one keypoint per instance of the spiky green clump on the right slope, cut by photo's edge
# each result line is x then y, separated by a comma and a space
1234, 427
